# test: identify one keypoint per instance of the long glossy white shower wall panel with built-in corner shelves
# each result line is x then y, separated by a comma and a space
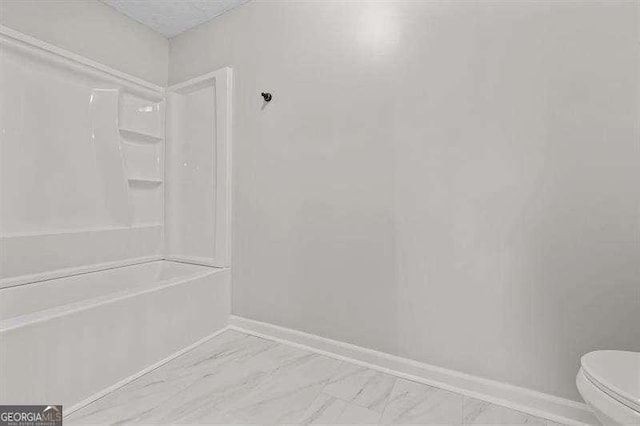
81, 164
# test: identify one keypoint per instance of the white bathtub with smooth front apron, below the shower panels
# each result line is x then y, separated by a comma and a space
65, 340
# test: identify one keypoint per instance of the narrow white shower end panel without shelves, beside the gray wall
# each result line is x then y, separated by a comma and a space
199, 170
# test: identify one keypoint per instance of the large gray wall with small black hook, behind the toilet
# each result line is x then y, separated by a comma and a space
452, 182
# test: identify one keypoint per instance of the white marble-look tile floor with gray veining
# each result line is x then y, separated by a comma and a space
236, 378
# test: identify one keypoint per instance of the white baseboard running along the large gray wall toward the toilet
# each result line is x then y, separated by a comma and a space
526, 400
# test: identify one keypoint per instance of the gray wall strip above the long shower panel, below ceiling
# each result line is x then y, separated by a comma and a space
94, 30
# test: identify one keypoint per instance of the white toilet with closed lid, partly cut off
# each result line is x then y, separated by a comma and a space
609, 382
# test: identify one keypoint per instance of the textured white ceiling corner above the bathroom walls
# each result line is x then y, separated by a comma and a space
171, 17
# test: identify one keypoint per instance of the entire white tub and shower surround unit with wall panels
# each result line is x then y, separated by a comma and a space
87, 297
